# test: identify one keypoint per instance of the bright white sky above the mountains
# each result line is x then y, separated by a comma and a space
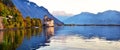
73, 7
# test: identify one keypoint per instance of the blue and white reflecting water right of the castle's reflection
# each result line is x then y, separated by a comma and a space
85, 38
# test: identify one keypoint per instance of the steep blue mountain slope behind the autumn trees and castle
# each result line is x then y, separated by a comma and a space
34, 11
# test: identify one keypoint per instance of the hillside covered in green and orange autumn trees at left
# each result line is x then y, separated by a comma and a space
12, 18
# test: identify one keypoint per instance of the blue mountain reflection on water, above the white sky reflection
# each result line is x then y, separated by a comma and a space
88, 32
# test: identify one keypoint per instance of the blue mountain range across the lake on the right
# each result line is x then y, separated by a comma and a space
106, 17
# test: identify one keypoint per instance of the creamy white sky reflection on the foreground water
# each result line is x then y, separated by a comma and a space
73, 42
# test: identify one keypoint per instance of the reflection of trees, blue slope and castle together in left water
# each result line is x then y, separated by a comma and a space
25, 39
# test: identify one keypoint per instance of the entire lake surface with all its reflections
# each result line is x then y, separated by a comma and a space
62, 38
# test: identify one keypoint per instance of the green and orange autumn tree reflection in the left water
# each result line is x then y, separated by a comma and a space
12, 39
